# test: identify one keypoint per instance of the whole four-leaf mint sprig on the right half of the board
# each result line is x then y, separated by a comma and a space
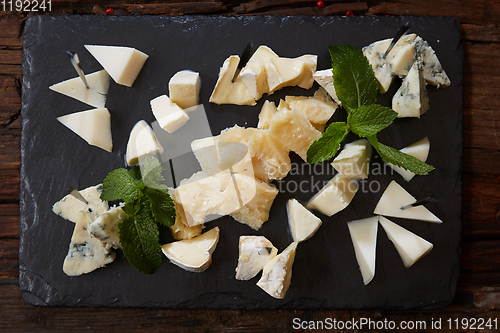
357, 89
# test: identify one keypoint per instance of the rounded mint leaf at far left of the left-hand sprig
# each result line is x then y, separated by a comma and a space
120, 185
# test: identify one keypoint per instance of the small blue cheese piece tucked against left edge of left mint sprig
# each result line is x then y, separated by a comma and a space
105, 227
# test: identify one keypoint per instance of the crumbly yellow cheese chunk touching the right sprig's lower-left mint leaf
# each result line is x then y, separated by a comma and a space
294, 131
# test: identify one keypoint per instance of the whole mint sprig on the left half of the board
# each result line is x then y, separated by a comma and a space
148, 204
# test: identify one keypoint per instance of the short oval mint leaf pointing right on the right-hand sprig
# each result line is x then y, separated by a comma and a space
368, 120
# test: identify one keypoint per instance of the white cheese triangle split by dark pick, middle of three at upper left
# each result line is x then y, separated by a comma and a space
96, 94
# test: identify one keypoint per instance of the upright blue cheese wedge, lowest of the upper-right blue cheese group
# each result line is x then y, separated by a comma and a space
411, 99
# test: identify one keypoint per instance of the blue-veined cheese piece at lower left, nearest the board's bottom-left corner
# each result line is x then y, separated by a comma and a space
86, 253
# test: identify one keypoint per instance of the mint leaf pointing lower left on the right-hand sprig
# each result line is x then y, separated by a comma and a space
328, 144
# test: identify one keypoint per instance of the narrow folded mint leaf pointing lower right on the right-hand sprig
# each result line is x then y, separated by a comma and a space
398, 158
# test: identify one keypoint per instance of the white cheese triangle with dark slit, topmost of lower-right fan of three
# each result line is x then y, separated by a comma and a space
395, 197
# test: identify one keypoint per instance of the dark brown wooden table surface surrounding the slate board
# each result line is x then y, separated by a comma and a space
478, 291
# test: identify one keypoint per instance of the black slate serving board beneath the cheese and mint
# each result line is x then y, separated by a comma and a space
325, 273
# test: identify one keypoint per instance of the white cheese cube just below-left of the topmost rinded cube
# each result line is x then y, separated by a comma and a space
169, 115
